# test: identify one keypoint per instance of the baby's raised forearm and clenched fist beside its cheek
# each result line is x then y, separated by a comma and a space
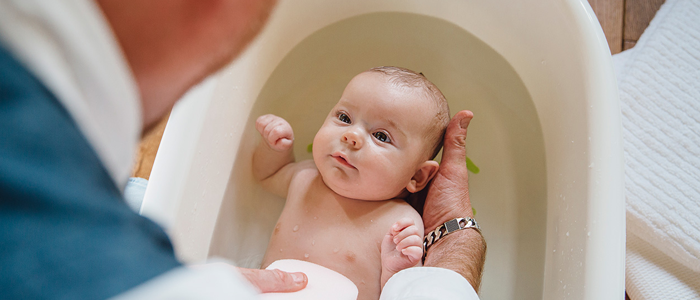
274, 156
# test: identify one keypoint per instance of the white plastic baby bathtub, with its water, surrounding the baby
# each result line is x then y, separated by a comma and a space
546, 134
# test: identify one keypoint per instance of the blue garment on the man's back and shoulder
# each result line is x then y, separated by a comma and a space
65, 230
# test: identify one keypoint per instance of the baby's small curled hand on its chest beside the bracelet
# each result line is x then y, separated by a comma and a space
402, 247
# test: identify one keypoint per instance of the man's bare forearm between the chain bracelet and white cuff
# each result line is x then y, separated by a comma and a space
463, 251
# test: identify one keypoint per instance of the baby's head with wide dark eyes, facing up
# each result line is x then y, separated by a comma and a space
379, 140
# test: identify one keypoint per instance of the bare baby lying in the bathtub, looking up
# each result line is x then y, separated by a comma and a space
345, 208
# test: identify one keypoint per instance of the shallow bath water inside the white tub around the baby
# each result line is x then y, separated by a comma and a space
504, 139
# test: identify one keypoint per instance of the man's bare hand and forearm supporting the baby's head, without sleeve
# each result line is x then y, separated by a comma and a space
447, 198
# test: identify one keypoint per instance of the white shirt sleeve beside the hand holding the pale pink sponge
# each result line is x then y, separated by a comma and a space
208, 281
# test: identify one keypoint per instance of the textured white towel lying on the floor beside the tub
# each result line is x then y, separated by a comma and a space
659, 82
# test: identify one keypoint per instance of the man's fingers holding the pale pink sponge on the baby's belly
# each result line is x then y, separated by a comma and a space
268, 281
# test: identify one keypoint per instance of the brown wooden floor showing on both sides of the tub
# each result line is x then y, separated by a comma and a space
623, 22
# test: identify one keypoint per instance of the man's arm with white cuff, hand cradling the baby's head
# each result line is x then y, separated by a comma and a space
453, 265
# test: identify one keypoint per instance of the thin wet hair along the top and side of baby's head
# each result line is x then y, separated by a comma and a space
409, 78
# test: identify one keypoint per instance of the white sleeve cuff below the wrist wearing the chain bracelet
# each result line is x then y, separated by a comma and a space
428, 283
